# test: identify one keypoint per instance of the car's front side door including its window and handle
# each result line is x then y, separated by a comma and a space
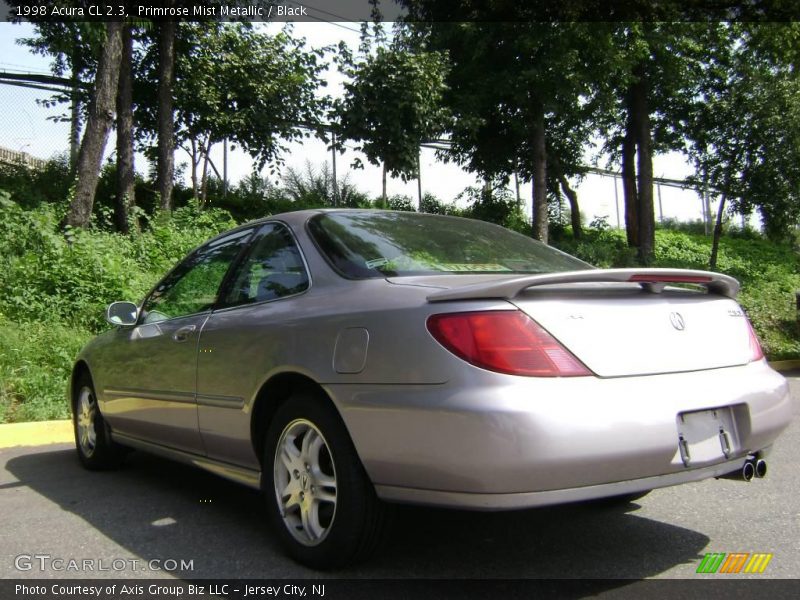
150, 387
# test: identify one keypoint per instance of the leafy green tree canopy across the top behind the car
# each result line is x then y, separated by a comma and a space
502, 94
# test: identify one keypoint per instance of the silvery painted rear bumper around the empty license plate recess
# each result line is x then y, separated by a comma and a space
497, 441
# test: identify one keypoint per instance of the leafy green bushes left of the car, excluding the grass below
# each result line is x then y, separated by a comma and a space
70, 278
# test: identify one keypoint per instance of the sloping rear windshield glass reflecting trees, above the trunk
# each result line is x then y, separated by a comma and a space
365, 244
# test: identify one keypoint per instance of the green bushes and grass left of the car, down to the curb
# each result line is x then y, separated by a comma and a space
54, 288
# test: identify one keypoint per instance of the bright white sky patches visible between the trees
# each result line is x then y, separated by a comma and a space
24, 127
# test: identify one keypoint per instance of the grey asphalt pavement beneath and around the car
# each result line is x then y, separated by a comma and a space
158, 519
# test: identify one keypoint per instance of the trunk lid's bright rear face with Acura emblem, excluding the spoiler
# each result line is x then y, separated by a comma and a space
630, 332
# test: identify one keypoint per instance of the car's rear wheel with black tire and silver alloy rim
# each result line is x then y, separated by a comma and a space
320, 501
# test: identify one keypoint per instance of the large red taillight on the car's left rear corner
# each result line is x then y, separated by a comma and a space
507, 341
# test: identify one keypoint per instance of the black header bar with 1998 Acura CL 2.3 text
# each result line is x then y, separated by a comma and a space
393, 10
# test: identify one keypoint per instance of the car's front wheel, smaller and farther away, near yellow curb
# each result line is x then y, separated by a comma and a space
93, 442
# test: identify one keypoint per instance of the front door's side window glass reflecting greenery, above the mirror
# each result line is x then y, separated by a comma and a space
193, 286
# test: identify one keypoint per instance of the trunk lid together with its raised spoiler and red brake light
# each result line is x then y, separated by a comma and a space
622, 322
